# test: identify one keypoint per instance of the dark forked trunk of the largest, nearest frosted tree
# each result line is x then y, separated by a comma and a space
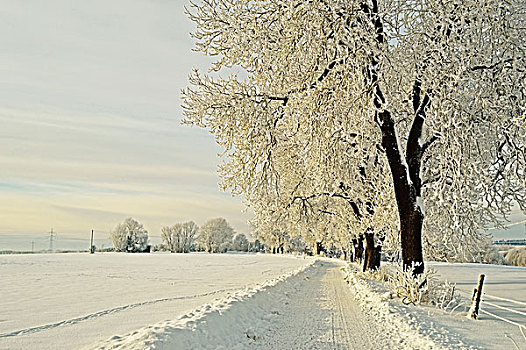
405, 171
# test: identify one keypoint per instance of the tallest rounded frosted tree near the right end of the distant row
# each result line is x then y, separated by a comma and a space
214, 233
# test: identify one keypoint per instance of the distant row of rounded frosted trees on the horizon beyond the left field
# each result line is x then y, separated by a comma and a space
216, 235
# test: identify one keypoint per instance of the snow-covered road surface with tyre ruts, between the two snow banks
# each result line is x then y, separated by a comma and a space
320, 313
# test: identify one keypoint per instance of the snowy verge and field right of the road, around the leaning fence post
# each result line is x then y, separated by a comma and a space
449, 328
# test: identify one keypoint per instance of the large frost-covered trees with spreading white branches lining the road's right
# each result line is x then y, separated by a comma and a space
340, 117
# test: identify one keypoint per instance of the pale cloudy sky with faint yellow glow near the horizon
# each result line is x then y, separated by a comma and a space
90, 123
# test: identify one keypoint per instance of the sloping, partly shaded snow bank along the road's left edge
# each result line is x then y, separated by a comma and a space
207, 326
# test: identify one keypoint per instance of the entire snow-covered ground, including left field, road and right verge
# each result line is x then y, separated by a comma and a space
238, 301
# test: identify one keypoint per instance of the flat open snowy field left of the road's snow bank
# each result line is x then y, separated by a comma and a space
71, 301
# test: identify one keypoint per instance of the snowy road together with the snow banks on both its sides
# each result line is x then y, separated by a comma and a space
313, 309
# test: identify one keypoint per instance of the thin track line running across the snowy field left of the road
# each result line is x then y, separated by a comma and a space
102, 313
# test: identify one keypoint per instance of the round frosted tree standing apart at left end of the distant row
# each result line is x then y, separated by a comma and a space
129, 236
